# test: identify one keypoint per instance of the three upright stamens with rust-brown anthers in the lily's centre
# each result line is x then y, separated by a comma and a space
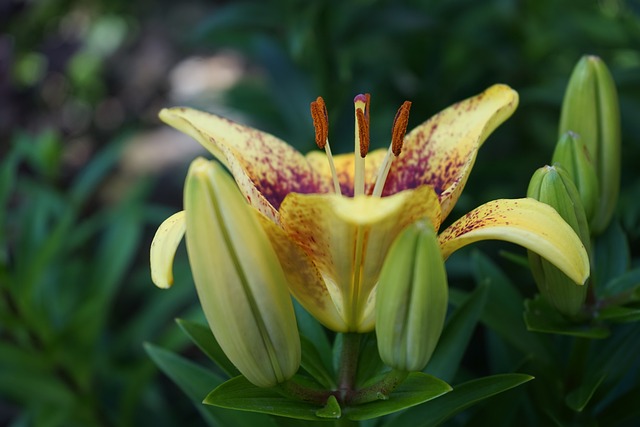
361, 143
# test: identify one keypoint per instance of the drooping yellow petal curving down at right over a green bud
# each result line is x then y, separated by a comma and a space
526, 222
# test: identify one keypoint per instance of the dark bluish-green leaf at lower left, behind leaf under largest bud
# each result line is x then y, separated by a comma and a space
195, 382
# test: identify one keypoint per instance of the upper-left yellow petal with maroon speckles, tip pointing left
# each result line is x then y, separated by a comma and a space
265, 168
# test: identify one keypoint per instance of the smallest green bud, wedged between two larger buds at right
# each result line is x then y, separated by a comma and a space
572, 155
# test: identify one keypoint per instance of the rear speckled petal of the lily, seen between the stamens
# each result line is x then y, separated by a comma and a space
345, 169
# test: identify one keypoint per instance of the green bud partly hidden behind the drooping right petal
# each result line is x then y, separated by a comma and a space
553, 186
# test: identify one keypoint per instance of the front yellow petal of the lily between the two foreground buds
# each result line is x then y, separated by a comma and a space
348, 239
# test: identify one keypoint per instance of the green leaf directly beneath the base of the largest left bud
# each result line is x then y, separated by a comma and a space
239, 394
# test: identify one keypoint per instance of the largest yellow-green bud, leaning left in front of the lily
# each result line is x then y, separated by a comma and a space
240, 283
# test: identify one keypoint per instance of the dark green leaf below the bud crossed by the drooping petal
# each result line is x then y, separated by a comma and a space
541, 317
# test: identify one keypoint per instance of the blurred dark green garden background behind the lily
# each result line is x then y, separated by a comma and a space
88, 171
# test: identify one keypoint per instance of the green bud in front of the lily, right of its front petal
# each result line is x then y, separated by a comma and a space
411, 301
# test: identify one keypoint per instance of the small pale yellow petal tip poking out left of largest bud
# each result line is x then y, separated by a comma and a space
163, 249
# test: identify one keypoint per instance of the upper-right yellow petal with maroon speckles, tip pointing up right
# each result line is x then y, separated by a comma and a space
441, 151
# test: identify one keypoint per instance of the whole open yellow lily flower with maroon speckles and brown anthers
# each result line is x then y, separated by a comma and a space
332, 218
